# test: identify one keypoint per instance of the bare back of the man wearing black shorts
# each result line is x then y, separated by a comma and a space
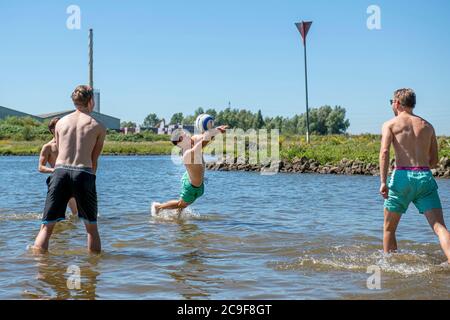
76, 136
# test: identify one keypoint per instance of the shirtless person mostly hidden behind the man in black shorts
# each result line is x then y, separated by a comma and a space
49, 153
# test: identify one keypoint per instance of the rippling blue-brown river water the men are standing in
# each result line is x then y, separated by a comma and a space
250, 237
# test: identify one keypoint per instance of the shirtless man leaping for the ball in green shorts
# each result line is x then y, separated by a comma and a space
192, 186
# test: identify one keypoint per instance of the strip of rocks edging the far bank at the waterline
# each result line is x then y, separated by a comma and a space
304, 165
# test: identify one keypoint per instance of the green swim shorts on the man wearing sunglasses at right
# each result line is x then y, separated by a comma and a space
418, 187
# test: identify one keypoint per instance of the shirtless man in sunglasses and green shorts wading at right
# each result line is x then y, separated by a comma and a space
416, 151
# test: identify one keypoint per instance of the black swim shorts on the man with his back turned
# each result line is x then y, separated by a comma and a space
71, 182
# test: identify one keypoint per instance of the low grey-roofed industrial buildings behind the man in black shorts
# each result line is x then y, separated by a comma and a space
109, 122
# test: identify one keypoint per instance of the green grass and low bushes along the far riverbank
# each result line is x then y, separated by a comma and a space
25, 136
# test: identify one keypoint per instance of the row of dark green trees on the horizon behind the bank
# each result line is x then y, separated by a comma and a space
324, 120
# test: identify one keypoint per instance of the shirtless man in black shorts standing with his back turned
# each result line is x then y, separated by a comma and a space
79, 139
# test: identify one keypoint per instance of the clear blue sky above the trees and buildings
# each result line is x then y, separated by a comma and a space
175, 56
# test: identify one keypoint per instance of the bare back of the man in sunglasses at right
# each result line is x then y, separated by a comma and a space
412, 140
